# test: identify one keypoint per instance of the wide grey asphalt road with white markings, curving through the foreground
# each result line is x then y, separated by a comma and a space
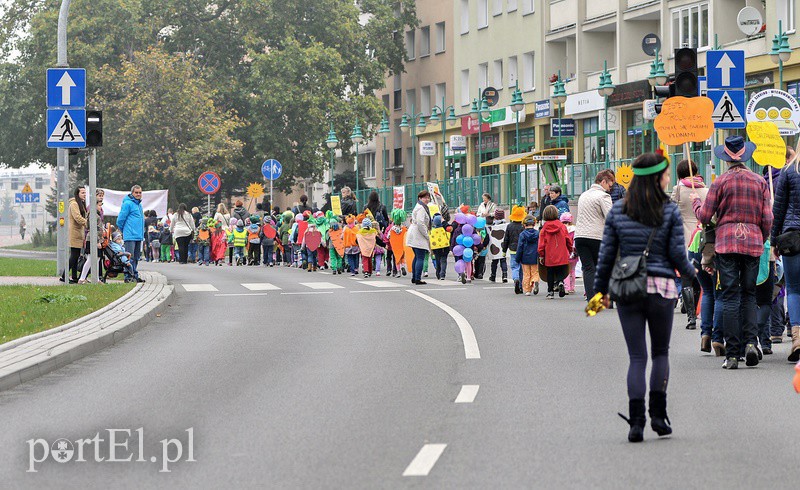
292, 385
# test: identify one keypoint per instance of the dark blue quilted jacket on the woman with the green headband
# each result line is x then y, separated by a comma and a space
628, 237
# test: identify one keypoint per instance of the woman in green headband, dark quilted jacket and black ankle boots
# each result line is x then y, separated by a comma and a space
642, 247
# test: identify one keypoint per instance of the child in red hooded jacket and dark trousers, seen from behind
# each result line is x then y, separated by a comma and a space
555, 247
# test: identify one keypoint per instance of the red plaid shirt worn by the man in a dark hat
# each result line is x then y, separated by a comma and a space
740, 199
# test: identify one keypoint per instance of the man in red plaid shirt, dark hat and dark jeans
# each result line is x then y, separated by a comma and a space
740, 200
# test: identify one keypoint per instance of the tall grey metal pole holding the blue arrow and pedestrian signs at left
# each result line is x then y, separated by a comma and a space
62, 160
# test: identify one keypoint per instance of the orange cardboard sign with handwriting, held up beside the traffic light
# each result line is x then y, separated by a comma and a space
685, 119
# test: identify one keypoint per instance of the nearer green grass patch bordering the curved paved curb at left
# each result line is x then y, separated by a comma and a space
30, 309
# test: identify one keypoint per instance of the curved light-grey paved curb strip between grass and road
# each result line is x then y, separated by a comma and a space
35, 355
